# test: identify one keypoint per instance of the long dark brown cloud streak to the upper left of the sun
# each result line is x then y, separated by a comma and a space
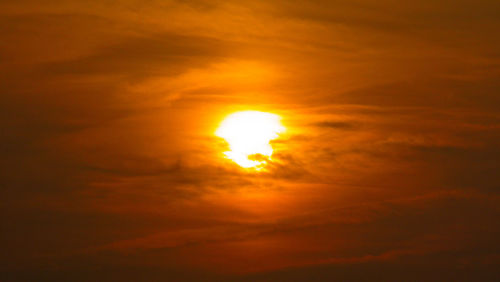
165, 54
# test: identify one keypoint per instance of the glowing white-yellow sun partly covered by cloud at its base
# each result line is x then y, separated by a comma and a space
248, 134
